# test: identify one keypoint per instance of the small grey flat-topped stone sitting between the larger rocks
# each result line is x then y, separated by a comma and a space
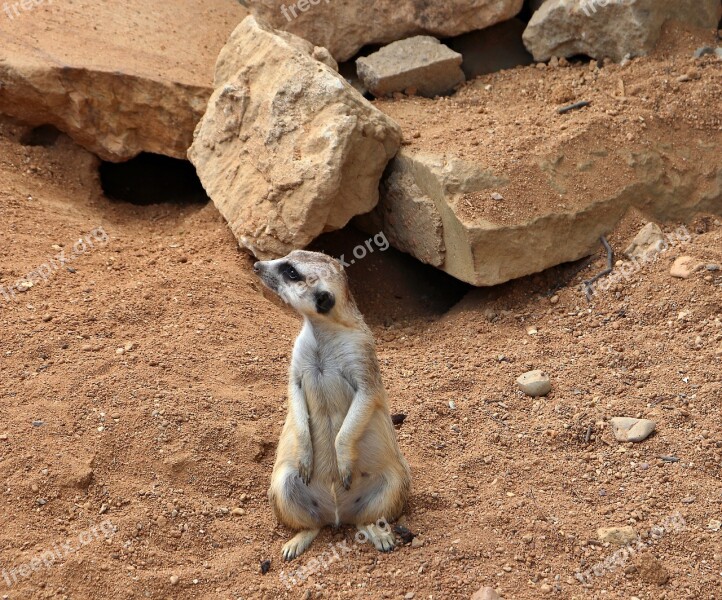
420, 64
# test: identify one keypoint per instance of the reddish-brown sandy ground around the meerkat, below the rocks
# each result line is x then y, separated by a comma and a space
142, 392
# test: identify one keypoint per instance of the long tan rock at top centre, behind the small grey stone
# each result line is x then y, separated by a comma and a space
344, 26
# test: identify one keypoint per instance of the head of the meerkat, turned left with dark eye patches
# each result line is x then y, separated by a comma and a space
314, 284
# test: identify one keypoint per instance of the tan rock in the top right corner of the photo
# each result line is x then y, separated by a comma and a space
610, 28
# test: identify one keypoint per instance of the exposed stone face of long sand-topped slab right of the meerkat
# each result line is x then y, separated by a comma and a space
424, 210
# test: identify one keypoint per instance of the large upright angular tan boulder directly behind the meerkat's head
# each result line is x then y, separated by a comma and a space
288, 149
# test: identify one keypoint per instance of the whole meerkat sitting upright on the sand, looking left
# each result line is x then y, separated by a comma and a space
338, 460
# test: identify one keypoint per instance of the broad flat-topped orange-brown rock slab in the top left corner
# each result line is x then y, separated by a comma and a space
119, 77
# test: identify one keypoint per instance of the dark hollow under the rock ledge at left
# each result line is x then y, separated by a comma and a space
152, 179
